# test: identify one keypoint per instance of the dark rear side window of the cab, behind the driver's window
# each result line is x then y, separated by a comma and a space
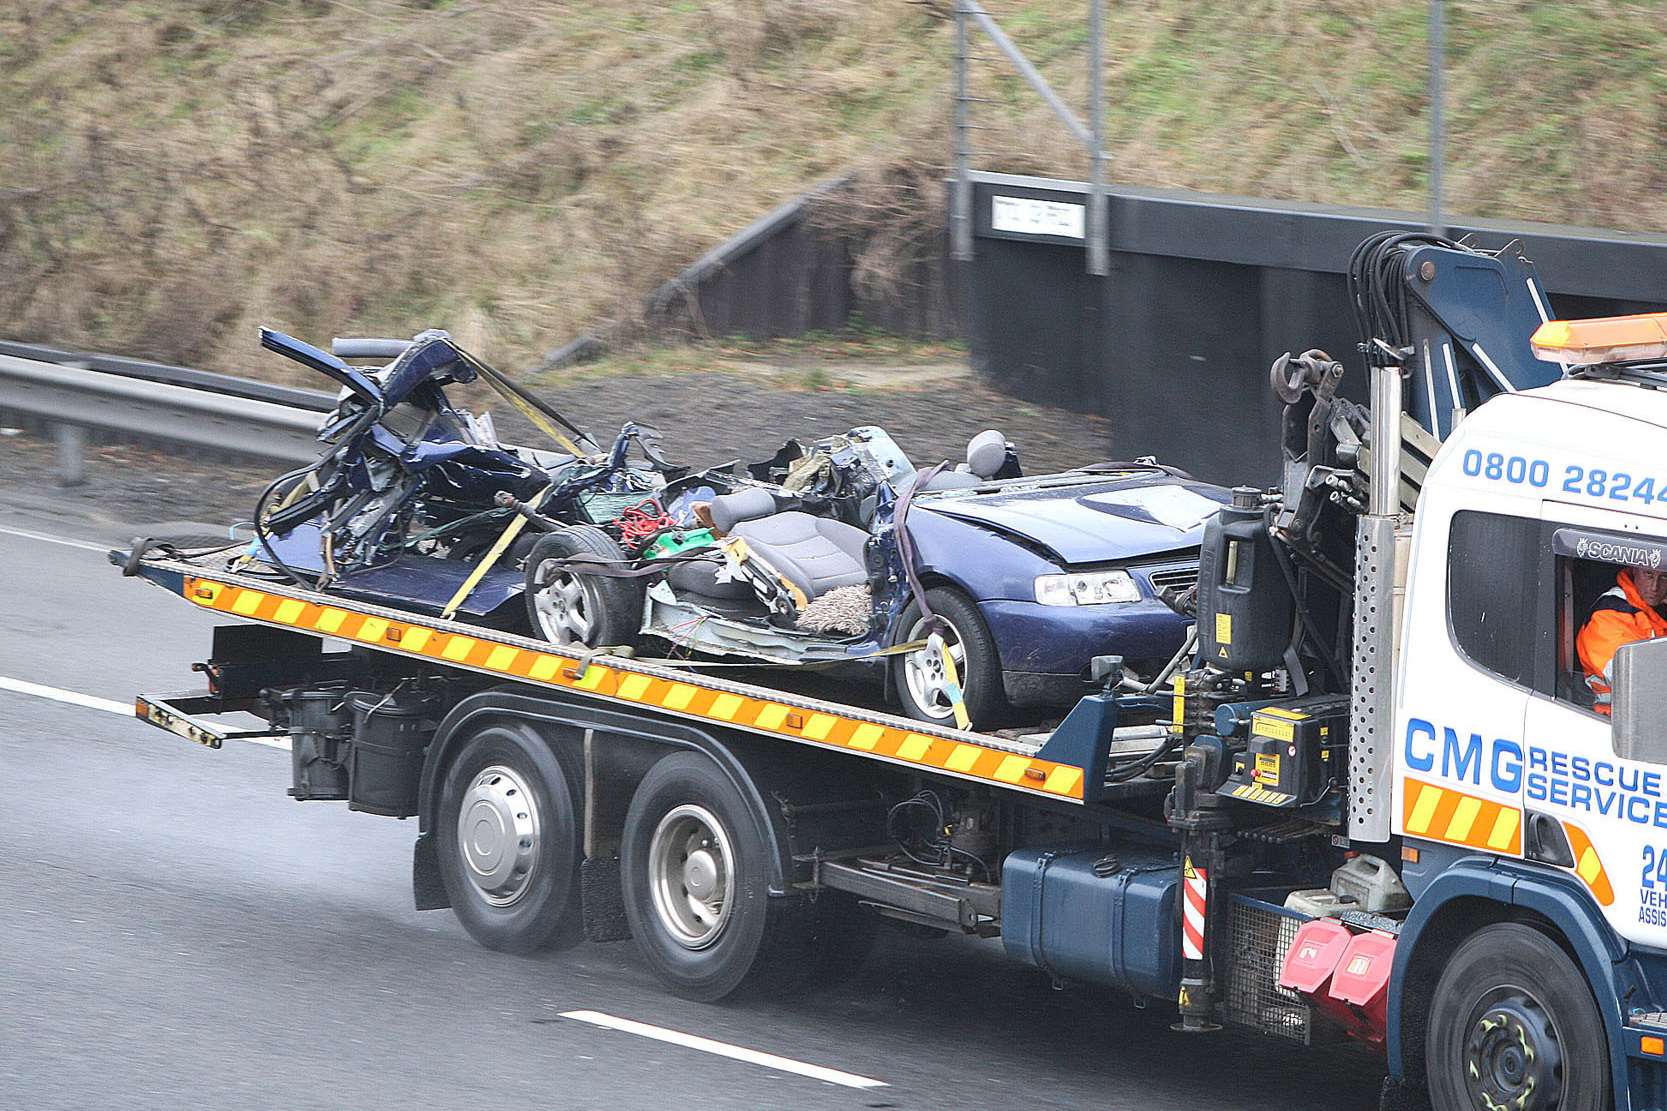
1494, 593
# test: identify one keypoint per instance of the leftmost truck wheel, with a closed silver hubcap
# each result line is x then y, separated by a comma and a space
509, 842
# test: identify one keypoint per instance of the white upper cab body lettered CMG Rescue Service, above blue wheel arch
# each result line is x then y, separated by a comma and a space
1528, 515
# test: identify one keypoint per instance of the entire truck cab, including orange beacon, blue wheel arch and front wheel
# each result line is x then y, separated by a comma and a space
1529, 805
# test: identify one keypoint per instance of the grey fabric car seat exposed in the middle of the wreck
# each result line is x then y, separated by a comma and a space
818, 555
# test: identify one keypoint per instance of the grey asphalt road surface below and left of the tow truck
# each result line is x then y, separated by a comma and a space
174, 932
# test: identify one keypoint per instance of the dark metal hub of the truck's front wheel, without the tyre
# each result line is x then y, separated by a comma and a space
1513, 1058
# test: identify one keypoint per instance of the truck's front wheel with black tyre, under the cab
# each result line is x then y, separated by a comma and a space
1513, 1025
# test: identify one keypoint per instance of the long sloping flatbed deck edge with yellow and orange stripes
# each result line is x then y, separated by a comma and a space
689, 695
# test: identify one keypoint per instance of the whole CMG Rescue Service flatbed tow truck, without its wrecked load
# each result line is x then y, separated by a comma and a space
1371, 800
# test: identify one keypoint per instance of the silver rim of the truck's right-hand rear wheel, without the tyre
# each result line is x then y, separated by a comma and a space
689, 877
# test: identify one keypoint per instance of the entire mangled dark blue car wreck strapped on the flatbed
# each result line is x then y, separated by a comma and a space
973, 595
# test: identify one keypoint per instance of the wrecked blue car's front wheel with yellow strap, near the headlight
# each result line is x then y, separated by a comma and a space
921, 680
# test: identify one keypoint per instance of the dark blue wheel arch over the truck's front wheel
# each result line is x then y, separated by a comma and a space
1481, 892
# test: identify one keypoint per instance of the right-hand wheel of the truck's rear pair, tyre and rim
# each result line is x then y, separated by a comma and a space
696, 878
